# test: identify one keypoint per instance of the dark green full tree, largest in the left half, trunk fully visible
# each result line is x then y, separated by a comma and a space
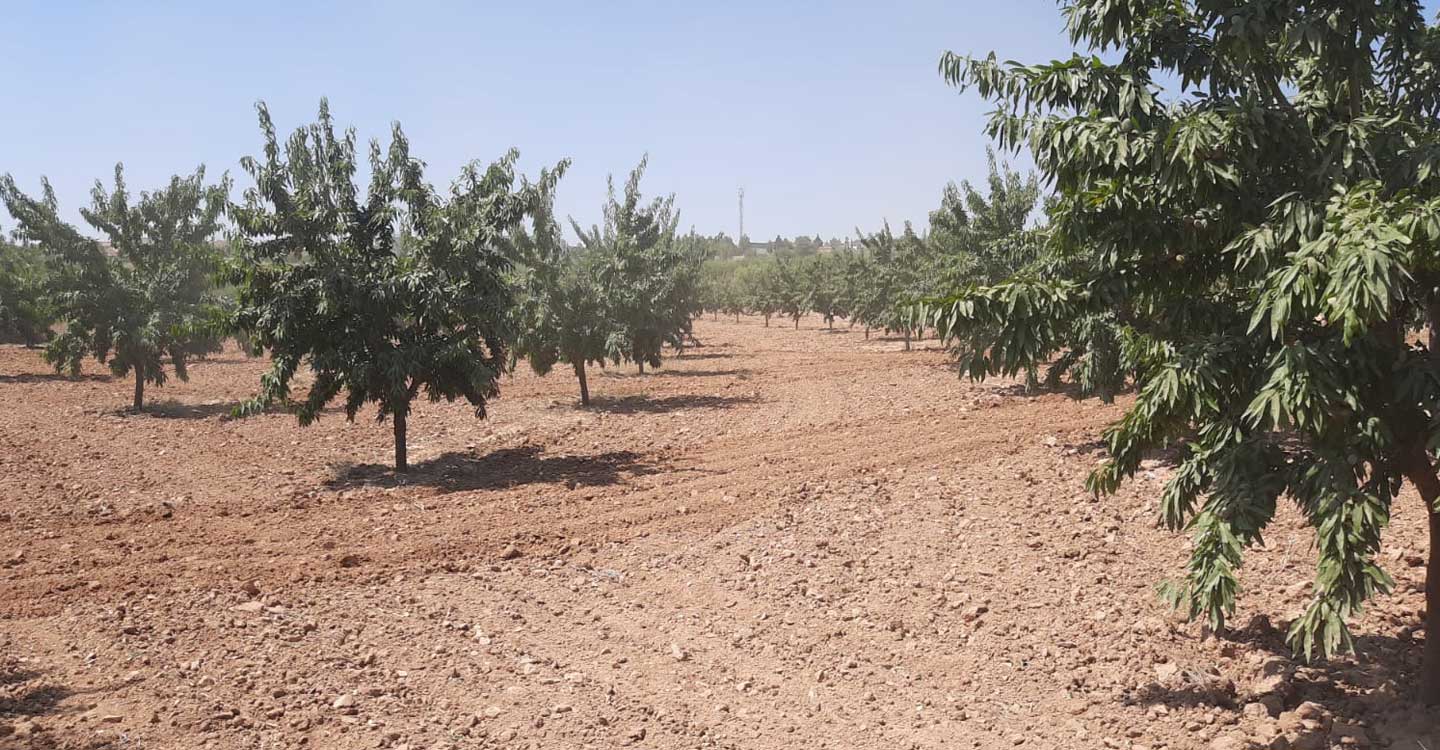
387, 296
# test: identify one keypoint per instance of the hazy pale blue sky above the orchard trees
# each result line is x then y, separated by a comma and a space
832, 116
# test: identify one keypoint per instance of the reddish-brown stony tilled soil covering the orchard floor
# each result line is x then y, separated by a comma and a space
783, 539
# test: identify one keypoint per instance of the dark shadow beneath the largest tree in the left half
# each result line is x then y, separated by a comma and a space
499, 470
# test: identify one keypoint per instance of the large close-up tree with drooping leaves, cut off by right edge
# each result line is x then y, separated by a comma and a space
1259, 250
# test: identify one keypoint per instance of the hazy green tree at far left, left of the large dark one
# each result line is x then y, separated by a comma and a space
153, 299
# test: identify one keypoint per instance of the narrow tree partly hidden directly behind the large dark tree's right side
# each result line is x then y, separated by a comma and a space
562, 309
